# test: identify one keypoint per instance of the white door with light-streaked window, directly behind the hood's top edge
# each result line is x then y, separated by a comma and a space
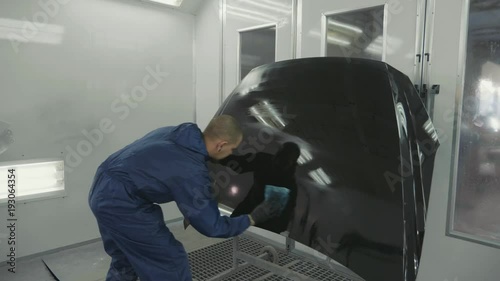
385, 30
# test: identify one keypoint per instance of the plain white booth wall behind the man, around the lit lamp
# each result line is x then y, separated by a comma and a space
76, 66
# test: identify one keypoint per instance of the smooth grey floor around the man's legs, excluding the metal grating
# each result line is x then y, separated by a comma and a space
74, 264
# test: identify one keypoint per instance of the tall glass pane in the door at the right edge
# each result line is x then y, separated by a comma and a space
477, 200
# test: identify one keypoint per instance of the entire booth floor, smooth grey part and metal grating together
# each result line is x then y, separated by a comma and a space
209, 257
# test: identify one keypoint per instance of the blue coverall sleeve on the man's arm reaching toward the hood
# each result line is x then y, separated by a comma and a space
194, 198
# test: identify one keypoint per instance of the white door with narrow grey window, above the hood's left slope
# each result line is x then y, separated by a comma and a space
255, 32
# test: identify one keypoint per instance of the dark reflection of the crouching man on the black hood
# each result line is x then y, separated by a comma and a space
268, 169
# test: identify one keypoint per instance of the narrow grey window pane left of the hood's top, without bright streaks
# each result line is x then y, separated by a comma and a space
257, 47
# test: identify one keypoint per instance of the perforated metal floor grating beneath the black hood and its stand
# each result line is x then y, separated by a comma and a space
216, 259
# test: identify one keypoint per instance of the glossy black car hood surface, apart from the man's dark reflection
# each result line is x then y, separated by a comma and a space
365, 170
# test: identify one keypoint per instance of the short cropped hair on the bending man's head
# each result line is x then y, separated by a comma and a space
224, 127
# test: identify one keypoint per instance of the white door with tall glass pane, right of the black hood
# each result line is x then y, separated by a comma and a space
462, 239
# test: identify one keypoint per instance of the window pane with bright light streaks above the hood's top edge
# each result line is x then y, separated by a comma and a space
356, 34
